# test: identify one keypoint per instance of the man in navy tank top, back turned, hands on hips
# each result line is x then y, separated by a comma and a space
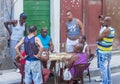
33, 49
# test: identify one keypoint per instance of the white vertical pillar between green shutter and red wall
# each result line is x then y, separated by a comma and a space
55, 23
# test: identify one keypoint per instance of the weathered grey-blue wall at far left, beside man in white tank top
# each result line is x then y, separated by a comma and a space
5, 15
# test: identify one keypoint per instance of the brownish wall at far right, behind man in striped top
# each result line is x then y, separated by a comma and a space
113, 10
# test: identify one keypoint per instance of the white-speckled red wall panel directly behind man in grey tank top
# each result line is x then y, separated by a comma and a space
76, 7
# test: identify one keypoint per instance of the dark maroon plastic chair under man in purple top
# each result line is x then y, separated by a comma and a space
78, 72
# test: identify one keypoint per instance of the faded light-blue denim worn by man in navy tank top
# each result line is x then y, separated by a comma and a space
33, 72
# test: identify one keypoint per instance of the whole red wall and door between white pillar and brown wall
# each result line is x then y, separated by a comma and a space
85, 10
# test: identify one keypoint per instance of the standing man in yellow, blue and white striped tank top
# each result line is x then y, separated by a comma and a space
105, 42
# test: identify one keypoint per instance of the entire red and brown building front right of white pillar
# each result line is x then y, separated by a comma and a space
88, 11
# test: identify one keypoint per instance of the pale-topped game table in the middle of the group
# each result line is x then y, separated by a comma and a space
58, 58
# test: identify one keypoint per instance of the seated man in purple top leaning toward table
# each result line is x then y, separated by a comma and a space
77, 58
